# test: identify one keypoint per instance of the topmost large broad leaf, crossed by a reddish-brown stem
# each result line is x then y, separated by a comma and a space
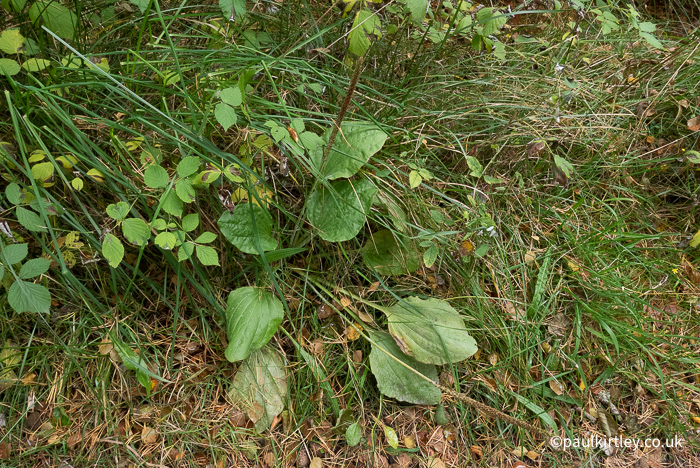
355, 144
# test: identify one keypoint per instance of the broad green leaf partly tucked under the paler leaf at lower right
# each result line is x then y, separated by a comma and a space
395, 380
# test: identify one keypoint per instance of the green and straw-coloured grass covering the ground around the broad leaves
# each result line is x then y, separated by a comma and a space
583, 289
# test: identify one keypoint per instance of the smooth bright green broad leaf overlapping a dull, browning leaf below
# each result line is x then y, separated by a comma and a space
252, 317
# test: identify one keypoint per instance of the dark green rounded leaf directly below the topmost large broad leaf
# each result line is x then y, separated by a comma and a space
339, 212
